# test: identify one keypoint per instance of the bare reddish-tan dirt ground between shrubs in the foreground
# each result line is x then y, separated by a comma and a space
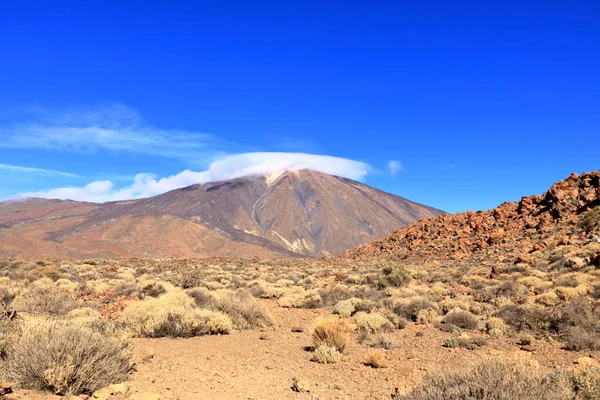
262, 365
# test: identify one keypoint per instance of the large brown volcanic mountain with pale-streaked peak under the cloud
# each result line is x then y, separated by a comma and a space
294, 213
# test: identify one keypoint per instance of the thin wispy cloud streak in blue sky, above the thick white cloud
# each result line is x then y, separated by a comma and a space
110, 127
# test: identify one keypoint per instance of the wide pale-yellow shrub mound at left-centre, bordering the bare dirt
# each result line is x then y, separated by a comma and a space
175, 315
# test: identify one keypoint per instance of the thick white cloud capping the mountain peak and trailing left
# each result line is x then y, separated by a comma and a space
228, 167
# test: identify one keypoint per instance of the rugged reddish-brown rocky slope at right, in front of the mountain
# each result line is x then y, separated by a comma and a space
514, 232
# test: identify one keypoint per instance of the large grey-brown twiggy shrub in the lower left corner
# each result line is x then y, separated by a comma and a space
66, 358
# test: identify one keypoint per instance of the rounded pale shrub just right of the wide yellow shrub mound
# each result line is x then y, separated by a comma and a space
245, 312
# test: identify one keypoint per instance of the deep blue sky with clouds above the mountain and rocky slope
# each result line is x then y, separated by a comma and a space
475, 103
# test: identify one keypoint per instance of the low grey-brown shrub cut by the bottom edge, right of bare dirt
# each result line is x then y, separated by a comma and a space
489, 380
